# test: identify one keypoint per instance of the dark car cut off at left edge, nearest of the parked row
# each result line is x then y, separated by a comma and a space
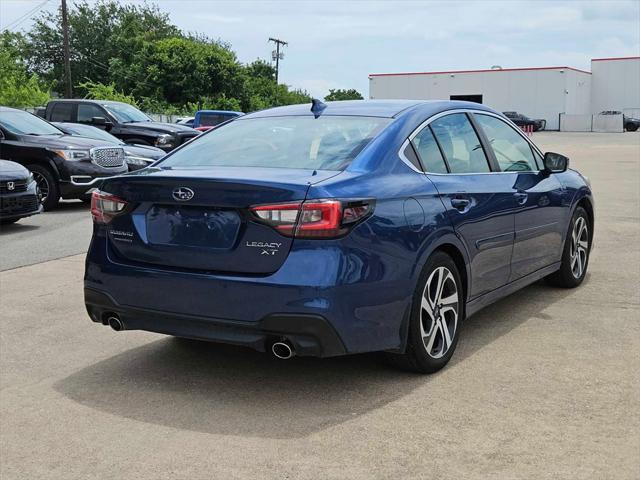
19, 196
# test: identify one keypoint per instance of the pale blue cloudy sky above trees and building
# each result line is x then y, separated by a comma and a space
336, 44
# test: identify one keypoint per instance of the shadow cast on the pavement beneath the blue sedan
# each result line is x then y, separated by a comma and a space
222, 389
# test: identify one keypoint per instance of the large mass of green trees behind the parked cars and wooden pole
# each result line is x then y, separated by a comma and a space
133, 50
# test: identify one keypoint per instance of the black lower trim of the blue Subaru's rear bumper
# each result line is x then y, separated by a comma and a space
310, 335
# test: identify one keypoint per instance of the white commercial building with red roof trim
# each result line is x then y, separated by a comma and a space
543, 92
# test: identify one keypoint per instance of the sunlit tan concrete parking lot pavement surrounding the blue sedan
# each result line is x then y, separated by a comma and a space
544, 384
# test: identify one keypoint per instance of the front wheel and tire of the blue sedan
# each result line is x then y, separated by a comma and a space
573, 269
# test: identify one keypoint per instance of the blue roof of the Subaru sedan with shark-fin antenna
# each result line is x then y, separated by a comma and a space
369, 108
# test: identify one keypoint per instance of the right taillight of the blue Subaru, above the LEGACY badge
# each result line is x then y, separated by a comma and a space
314, 218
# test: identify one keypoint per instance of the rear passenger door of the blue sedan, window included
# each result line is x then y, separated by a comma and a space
479, 203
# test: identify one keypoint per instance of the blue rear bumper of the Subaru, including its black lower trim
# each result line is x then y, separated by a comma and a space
334, 300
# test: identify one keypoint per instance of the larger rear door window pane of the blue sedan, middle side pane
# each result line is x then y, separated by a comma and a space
460, 144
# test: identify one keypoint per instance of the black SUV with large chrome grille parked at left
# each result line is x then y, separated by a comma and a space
62, 165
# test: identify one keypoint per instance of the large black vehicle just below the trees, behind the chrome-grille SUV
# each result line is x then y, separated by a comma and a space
121, 120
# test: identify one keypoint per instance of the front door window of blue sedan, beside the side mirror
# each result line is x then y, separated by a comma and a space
512, 152
